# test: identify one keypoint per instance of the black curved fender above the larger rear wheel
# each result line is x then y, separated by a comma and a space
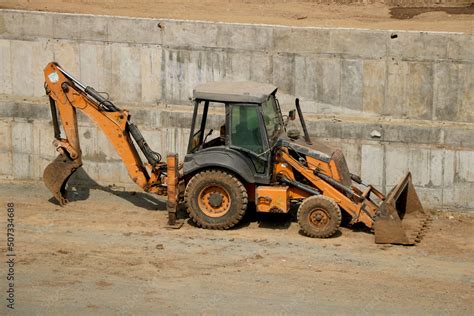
222, 158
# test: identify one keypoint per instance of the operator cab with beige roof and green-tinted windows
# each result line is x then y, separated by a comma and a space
241, 120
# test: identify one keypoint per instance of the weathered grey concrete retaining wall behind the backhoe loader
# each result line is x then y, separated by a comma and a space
415, 88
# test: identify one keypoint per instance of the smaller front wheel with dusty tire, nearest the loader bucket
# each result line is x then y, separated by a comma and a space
319, 216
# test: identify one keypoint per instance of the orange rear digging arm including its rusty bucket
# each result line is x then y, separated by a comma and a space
68, 94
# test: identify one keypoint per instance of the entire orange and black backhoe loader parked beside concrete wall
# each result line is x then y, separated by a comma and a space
252, 160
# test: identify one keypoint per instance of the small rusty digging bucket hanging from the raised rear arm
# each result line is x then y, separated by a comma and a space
57, 174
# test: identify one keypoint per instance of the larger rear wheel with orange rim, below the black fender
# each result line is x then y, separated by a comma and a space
215, 199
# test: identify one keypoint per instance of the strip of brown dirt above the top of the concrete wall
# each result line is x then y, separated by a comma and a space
281, 12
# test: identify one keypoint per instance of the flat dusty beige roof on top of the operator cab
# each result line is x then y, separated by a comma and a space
234, 91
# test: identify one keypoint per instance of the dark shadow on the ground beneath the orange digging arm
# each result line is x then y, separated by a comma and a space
80, 184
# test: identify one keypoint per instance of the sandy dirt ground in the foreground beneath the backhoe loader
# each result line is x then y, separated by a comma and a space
108, 252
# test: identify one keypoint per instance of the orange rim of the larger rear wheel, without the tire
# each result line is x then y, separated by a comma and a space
214, 201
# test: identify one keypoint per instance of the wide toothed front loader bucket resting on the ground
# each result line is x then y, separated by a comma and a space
400, 219
